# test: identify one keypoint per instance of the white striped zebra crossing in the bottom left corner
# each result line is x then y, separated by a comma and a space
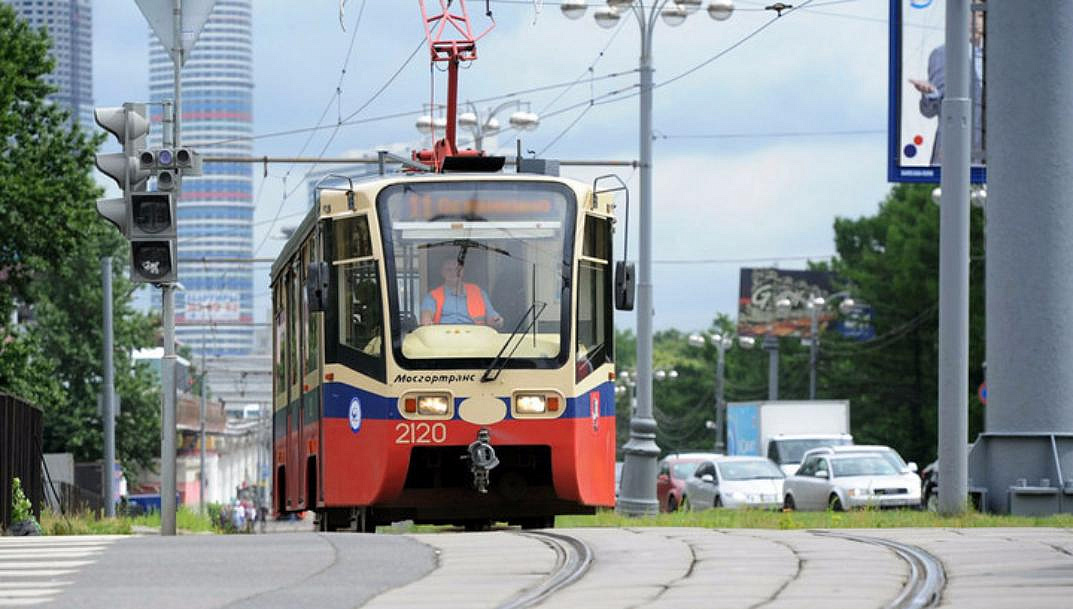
30, 567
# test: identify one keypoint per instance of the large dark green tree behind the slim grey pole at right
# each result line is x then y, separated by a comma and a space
891, 262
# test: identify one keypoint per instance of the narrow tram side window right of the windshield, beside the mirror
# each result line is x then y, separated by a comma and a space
595, 333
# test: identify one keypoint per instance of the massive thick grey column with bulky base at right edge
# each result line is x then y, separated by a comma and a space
1028, 419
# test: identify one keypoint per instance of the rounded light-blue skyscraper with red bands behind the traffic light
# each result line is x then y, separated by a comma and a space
216, 211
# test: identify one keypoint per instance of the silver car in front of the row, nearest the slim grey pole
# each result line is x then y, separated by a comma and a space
847, 481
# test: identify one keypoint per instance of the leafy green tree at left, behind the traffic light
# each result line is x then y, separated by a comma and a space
50, 262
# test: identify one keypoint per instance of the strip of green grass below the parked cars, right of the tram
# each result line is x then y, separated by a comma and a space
791, 521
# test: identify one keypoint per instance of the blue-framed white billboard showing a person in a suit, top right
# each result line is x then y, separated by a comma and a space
917, 86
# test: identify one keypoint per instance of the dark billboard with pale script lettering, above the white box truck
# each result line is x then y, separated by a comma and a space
760, 289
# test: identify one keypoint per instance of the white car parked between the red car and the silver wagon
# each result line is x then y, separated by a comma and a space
736, 483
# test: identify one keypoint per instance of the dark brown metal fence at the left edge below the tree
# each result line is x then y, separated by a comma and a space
21, 441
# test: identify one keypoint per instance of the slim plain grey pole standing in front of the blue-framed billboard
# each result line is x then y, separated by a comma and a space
954, 262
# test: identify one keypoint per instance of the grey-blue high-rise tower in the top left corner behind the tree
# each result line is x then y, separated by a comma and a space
70, 24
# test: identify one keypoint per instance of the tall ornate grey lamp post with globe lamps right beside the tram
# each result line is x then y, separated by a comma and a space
638, 496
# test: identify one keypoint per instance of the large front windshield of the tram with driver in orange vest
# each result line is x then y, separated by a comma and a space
479, 271
